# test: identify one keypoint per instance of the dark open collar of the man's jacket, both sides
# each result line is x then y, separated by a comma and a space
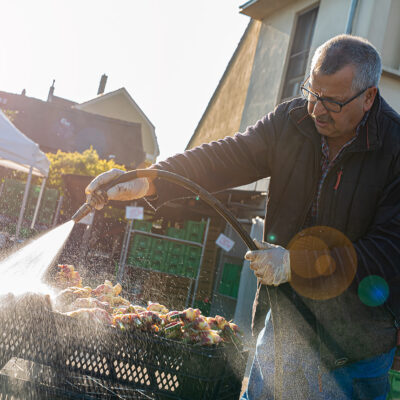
367, 140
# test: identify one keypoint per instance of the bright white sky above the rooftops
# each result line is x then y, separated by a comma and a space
169, 55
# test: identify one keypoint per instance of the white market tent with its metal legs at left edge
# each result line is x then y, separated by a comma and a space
19, 152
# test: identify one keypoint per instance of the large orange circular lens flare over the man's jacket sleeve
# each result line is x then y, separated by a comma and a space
323, 262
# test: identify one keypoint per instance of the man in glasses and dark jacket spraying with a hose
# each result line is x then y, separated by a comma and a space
334, 161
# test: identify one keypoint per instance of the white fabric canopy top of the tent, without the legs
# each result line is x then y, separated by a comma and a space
19, 152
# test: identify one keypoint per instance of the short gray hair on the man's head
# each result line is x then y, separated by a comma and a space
344, 50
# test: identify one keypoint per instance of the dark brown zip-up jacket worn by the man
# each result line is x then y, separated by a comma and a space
365, 206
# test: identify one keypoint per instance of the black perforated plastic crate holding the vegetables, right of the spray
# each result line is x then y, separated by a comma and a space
150, 362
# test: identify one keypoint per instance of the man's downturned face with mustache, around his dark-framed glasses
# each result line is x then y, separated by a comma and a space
337, 87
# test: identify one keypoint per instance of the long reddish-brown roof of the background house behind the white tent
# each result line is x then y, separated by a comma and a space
54, 126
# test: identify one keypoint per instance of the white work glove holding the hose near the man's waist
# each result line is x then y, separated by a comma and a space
271, 264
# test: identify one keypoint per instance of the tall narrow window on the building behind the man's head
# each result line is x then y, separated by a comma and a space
299, 53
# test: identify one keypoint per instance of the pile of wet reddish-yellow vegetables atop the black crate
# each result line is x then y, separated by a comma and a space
104, 304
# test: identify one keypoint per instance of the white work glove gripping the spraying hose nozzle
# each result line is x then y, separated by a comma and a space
131, 190
